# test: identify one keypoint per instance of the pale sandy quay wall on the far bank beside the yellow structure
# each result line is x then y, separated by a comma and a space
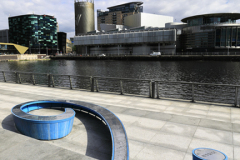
19, 57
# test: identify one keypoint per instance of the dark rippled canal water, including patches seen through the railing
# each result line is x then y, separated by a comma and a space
218, 72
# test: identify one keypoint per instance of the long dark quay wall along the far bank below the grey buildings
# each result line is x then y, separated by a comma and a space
153, 58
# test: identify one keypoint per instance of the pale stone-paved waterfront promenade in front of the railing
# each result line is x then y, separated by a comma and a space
156, 128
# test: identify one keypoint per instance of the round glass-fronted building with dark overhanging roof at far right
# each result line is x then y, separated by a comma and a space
217, 32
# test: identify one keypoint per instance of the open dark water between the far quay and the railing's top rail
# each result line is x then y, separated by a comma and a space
189, 71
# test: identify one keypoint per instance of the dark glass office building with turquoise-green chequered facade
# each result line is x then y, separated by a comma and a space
38, 32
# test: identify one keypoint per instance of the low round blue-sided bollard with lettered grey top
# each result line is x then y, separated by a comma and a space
208, 154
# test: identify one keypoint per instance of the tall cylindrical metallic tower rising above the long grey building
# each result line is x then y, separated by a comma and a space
84, 16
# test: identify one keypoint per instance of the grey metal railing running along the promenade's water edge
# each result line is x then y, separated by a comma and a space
207, 92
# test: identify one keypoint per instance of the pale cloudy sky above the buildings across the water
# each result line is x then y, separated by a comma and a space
63, 10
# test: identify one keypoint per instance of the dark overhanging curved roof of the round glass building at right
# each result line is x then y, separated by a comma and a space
234, 16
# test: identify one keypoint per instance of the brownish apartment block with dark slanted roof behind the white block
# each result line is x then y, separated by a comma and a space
117, 14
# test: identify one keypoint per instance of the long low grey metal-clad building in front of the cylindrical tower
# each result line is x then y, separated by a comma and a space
135, 41
